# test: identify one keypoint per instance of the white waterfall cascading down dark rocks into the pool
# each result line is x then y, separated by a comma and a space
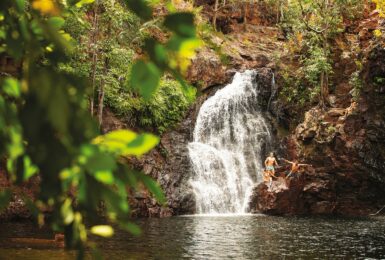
230, 136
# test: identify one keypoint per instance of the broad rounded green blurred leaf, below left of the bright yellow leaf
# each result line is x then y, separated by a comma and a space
145, 78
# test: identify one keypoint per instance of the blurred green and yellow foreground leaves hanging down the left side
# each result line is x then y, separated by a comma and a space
45, 120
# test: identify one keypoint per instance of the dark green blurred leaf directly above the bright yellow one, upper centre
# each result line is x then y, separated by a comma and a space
181, 23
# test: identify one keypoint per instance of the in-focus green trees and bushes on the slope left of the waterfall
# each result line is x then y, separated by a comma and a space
107, 37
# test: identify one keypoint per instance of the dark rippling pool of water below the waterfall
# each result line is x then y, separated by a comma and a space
231, 237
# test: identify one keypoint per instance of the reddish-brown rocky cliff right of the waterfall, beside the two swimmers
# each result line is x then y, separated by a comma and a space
345, 143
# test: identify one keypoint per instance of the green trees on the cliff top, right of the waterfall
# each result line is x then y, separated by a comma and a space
311, 27
